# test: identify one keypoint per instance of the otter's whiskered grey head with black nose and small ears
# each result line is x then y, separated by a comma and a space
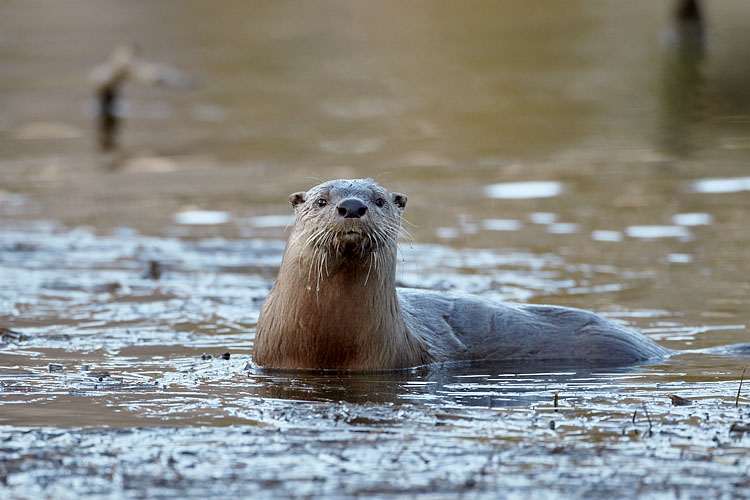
348, 217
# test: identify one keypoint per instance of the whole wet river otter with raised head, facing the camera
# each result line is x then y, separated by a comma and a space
335, 304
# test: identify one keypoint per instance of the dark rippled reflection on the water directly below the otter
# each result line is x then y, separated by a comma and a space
482, 384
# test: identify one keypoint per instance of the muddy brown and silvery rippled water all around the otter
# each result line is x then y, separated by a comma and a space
579, 154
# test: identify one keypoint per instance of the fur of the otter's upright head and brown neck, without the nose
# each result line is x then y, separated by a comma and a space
334, 304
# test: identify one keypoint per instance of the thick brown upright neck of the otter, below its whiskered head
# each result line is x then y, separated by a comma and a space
337, 312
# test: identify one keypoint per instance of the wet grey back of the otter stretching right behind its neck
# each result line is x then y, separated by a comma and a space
461, 326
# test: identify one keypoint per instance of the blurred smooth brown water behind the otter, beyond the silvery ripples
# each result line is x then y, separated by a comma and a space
628, 132
